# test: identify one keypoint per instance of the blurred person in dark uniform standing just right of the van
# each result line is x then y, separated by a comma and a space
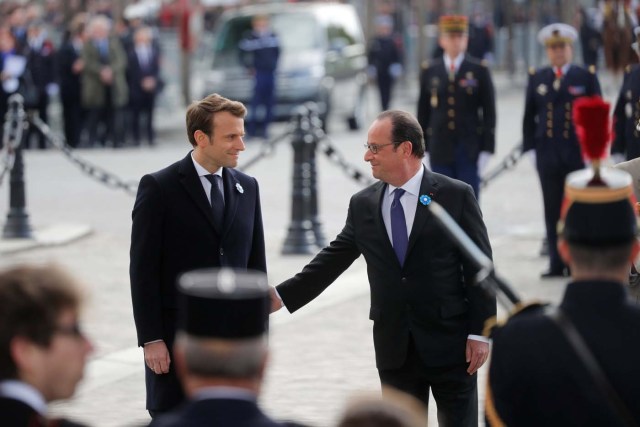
385, 59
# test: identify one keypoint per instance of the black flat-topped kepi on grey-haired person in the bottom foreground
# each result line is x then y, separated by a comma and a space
223, 303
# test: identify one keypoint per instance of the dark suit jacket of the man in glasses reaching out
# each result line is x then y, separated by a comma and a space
431, 297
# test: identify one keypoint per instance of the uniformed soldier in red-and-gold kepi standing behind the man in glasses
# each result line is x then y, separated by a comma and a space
457, 108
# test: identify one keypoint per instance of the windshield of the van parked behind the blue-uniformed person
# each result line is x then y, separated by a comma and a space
296, 31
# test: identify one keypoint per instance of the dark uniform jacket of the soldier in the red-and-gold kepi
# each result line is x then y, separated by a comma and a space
460, 113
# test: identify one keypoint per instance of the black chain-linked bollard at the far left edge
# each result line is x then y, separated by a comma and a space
17, 225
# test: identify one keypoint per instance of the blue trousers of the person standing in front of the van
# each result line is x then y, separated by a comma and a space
262, 104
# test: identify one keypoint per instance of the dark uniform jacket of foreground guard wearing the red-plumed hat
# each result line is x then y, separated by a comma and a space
536, 377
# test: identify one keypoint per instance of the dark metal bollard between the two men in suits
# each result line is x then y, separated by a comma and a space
301, 238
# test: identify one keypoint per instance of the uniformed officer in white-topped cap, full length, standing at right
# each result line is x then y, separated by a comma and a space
548, 128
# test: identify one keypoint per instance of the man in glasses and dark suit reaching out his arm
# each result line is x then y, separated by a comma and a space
428, 316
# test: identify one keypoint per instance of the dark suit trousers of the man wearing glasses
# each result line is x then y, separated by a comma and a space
454, 390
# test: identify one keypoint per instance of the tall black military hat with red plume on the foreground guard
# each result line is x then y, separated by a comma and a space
599, 205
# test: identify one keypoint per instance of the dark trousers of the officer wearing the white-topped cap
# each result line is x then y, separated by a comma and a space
552, 185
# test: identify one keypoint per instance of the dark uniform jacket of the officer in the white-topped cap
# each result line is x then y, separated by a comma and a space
548, 117
